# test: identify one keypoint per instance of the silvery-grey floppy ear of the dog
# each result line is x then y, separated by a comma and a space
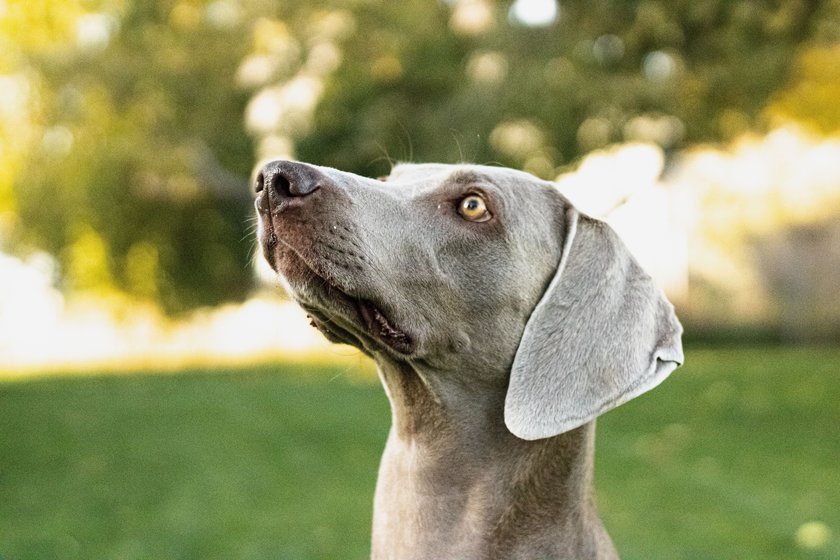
602, 334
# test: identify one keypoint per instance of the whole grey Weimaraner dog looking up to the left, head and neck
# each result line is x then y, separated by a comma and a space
502, 322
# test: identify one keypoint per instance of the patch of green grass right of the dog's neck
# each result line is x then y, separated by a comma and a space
727, 459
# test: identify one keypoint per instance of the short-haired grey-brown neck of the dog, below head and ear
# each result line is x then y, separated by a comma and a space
455, 483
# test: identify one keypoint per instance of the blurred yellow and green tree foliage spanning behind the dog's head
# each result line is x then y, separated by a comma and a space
124, 151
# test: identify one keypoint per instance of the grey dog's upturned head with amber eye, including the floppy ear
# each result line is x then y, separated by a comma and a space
481, 272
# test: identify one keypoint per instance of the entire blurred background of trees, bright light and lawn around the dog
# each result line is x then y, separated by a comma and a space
707, 132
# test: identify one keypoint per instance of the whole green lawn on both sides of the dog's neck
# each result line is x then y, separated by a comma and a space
727, 459
